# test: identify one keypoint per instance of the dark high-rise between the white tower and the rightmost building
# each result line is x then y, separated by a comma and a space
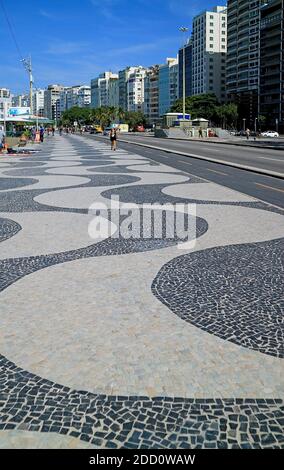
242, 68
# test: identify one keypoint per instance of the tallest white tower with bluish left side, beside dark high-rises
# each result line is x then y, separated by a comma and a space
209, 48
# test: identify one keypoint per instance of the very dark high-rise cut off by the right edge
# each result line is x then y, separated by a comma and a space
271, 85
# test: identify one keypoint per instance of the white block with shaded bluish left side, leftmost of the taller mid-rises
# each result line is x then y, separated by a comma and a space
100, 89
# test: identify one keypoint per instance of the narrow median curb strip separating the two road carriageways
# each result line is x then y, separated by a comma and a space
234, 165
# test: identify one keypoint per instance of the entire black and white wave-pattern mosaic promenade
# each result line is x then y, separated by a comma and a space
138, 342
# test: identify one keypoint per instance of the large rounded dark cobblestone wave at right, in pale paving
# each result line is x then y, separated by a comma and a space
234, 292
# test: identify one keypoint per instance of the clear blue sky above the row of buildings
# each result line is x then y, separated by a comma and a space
73, 41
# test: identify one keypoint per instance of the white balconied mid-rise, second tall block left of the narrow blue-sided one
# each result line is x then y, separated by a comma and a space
135, 89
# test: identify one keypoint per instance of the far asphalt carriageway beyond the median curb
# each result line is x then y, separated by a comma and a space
262, 158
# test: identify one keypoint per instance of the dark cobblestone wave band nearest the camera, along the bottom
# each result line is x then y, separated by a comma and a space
30, 403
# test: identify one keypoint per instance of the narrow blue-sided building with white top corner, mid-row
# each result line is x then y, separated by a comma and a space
168, 85
